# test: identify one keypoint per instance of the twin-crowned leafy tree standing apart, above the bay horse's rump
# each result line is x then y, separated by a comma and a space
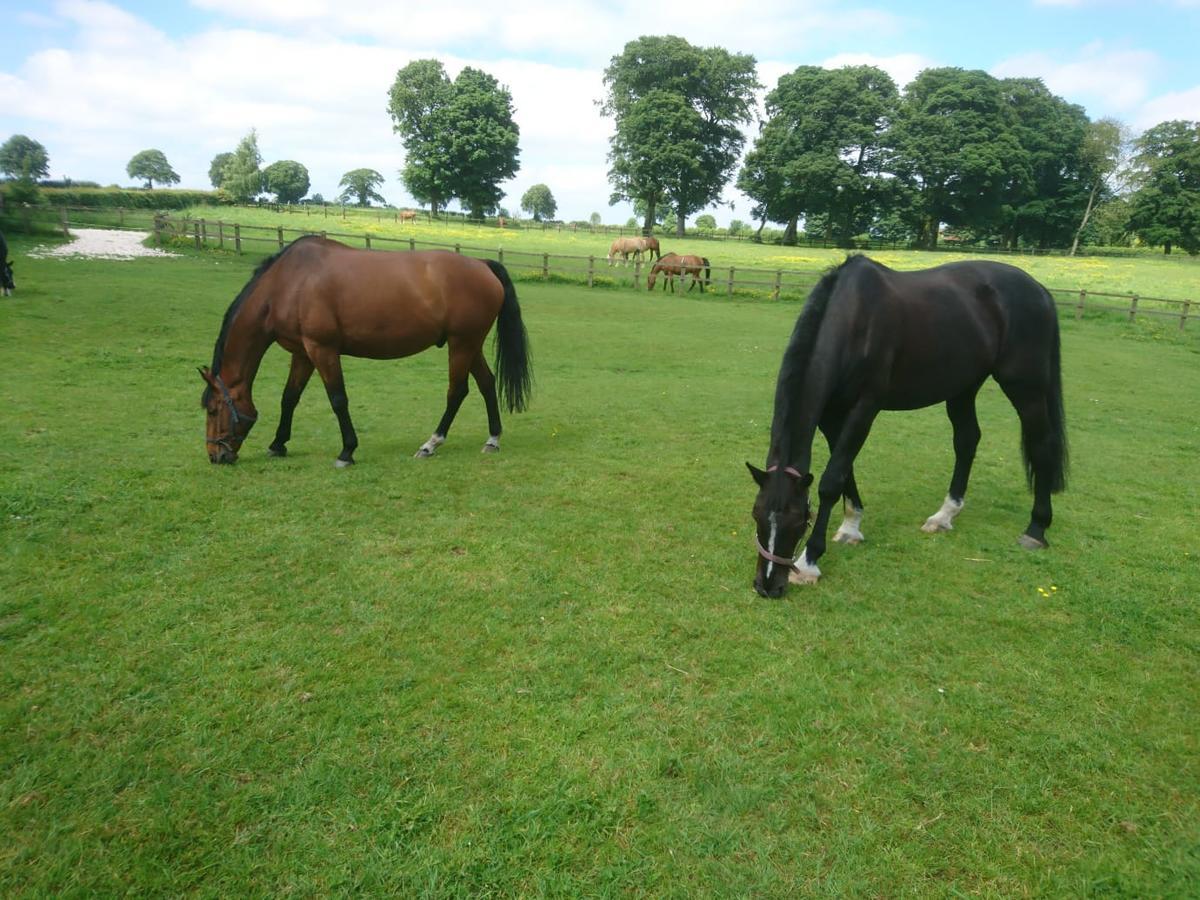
460, 137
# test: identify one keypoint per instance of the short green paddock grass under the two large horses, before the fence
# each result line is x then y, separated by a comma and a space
545, 673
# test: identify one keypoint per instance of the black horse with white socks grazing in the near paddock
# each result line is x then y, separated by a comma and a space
872, 339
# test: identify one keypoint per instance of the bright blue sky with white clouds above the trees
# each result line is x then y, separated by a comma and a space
98, 82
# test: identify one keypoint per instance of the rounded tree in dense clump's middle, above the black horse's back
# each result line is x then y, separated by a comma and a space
956, 151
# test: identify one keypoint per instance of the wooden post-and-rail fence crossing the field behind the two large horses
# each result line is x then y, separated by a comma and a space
593, 271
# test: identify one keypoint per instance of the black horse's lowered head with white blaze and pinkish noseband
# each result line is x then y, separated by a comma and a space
782, 517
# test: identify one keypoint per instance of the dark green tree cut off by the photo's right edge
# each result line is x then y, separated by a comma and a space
1166, 206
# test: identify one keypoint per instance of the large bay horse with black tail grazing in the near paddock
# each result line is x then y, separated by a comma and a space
321, 301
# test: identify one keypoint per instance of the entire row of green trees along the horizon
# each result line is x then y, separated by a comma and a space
839, 153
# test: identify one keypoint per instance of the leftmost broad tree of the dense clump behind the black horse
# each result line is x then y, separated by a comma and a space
820, 152
